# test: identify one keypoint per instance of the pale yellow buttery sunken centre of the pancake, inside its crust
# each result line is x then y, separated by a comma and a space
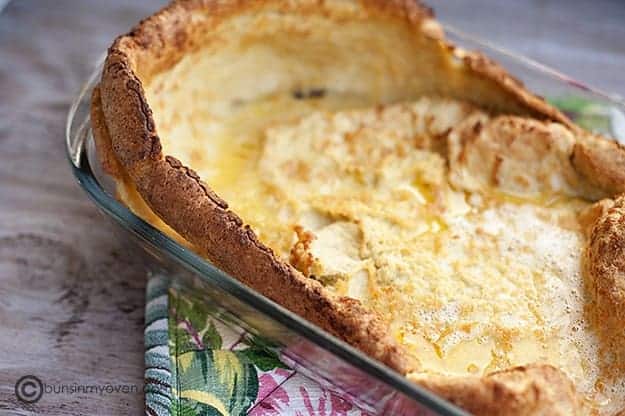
470, 279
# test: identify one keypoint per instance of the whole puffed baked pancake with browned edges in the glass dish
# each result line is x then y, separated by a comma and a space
407, 196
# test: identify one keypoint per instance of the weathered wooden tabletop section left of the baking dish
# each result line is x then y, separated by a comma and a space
71, 295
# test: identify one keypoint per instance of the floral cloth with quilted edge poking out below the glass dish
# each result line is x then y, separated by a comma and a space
197, 365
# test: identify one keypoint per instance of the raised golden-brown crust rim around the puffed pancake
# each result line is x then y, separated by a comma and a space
178, 196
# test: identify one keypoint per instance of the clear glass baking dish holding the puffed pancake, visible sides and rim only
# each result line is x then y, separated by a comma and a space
306, 348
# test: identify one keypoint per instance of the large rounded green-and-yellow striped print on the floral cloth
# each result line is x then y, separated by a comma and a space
222, 381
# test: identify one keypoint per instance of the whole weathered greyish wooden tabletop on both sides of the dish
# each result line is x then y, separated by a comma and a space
71, 293
